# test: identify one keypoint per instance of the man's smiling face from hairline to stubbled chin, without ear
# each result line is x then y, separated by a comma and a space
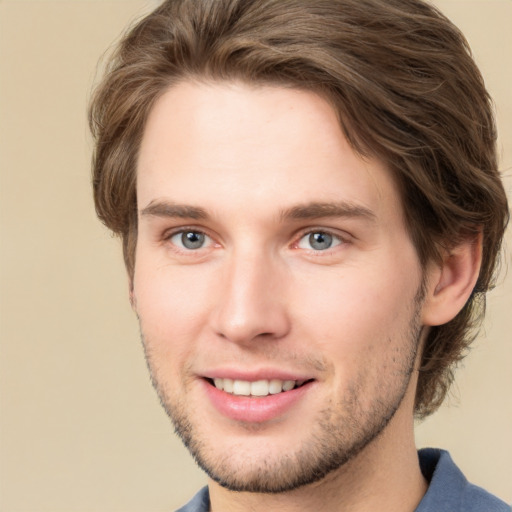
275, 283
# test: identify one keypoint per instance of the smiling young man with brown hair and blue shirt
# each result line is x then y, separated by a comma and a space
311, 212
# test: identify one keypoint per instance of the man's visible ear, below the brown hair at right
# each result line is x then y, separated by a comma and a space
450, 283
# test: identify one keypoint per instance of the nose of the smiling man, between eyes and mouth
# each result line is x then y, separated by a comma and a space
251, 301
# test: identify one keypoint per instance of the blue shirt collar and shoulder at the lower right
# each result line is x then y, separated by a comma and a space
449, 491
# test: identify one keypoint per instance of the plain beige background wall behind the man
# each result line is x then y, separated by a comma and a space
81, 428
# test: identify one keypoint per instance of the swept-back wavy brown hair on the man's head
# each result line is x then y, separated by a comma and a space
406, 89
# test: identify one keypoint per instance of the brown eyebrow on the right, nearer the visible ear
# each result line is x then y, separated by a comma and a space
322, 210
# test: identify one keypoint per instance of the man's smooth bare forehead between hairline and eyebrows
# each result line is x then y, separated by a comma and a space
233, 147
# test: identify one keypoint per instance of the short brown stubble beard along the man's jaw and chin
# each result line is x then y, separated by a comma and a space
342, 431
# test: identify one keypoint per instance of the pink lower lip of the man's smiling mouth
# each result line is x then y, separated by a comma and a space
255, 409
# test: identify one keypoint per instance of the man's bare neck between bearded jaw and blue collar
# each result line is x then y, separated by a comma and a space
385, 476
